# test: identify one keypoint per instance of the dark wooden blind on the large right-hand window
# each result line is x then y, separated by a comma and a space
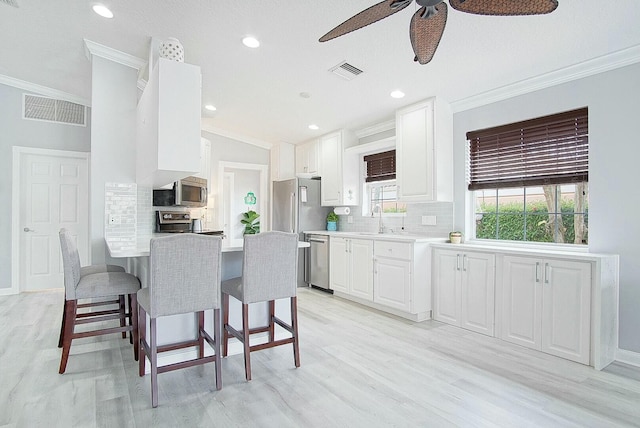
548, 150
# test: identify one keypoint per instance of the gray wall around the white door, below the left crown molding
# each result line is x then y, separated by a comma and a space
17, 131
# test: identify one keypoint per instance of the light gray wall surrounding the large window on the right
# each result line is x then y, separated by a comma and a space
613, 99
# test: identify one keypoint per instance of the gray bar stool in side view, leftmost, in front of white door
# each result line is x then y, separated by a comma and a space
94, 282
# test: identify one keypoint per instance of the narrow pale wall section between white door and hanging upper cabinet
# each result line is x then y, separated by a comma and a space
113, 139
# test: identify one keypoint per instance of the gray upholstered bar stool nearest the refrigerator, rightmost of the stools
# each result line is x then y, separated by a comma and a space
269, 272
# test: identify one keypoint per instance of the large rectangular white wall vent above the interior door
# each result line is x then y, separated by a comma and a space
52, 110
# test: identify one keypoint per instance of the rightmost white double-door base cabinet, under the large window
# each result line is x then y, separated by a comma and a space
546, 305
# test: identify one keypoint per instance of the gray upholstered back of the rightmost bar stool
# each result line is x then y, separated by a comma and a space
269, 269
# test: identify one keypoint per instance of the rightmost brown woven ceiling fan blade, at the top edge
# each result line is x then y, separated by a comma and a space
505, 7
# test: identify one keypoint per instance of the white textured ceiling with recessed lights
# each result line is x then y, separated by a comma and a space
257, 91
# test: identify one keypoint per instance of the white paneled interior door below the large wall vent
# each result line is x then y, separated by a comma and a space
53, 193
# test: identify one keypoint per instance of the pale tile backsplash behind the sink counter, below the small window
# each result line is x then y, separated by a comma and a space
411, 223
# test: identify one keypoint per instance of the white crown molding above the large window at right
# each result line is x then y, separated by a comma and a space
612, 61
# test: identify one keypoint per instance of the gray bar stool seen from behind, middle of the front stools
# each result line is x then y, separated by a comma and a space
184, 277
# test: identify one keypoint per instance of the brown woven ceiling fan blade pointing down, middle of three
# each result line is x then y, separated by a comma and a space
425, 33
